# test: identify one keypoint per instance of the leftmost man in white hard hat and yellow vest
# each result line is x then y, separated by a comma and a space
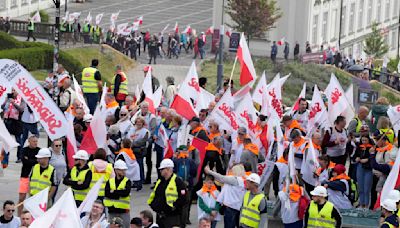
43, 174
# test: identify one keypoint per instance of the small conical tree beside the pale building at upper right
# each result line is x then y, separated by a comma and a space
375, 44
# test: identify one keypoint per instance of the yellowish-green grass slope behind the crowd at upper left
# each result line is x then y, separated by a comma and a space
108, 59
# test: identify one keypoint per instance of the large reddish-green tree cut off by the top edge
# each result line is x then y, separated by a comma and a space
253, 17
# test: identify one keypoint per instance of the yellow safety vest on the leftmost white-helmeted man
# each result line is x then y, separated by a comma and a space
39, 181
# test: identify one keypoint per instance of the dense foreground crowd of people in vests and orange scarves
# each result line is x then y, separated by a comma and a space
224, 182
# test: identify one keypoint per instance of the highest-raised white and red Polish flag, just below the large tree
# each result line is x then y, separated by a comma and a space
247, 71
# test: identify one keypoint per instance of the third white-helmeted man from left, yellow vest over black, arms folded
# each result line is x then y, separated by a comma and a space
117, 194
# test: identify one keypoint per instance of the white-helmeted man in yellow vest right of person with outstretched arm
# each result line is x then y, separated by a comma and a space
254, 203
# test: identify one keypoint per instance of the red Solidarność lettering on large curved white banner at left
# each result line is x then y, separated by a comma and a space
35, 99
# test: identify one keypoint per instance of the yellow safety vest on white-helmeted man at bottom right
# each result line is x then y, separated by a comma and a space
323, 218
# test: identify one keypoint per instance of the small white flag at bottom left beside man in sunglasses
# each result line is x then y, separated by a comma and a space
37, 204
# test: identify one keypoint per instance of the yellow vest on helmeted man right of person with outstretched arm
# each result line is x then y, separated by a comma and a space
251, 215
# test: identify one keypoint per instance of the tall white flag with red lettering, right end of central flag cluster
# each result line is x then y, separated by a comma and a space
337, 102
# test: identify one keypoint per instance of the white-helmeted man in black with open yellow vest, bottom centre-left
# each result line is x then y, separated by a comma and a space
168, 197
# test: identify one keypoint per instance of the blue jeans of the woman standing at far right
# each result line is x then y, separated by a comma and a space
364, 181
